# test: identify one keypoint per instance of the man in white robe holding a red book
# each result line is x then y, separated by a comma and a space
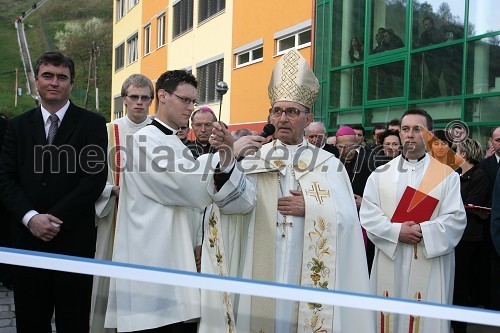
413, 213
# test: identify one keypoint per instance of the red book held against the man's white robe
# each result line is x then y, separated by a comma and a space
414, 206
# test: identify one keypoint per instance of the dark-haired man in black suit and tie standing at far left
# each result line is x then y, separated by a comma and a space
53, 170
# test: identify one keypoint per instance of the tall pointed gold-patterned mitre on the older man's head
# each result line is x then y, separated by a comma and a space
293, 80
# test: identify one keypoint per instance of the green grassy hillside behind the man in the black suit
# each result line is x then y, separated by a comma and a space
41, 27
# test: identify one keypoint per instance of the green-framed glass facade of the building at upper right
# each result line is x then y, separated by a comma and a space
377, 58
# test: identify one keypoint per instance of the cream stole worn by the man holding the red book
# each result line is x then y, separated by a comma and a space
420, 267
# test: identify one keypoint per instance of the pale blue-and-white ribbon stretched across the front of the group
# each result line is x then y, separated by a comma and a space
243, 286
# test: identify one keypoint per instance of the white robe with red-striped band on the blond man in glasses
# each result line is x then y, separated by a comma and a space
119, 131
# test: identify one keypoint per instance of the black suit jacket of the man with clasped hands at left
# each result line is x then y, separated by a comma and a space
64, 179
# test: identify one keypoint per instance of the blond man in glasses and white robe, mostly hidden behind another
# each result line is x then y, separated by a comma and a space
137, 94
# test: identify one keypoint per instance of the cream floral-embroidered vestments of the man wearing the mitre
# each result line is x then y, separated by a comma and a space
324, 249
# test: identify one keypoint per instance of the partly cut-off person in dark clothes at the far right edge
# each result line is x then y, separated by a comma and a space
491, 261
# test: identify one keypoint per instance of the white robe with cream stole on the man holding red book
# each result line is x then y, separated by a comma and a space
396, 272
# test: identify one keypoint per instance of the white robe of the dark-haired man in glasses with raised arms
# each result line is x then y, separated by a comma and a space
154, 226
